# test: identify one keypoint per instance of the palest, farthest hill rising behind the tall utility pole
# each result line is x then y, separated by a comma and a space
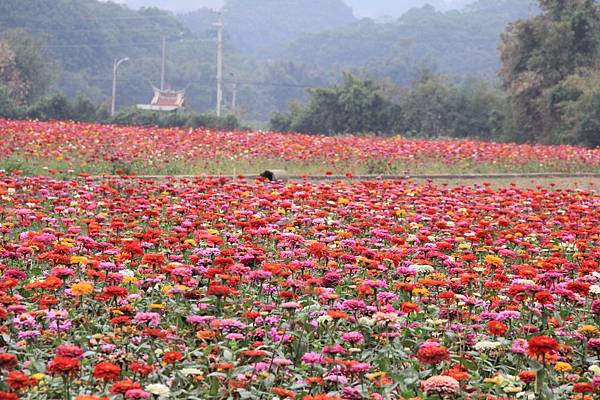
264, 28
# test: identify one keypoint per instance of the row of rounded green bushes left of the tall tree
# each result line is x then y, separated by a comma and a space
430, 108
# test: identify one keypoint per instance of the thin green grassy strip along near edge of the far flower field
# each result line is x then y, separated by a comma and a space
223, 166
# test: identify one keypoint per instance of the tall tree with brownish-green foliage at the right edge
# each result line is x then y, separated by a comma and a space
538, 56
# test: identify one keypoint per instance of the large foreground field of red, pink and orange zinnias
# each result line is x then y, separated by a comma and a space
126, 288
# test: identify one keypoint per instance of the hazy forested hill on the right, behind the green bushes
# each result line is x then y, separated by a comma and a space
458, 43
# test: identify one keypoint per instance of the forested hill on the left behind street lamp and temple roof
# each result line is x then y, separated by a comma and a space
82, 38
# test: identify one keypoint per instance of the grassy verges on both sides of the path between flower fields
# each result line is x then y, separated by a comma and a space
35, 166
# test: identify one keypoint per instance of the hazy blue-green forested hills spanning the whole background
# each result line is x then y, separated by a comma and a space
80, 39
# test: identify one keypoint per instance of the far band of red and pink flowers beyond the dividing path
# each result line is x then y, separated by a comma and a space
41, 147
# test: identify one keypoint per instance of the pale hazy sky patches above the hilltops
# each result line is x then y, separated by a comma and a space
362, 8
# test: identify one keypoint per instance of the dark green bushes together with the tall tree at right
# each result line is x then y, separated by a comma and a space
550, 90
